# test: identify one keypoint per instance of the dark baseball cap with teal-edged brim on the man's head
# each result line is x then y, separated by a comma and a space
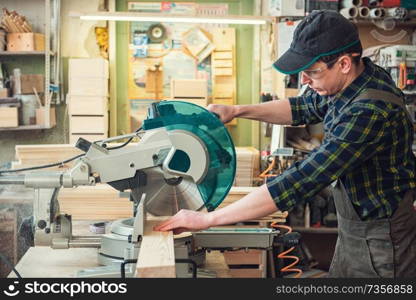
322, 33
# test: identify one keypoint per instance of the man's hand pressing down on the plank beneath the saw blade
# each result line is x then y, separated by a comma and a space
186, 220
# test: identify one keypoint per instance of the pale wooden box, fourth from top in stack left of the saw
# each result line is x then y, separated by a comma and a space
88, 124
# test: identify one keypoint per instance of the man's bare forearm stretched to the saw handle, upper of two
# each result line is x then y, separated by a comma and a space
276, 112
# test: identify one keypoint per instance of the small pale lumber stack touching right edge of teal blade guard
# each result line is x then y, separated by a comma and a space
248, 165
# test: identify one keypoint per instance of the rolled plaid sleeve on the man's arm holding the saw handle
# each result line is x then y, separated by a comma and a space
310, 108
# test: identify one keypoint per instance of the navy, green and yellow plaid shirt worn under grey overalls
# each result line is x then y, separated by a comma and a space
367, 145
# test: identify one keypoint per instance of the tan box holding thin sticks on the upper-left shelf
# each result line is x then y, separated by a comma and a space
27, 41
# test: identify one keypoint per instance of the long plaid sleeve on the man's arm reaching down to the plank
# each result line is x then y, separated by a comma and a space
356, 137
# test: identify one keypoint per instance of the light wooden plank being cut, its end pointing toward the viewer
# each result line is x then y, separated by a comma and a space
157, 254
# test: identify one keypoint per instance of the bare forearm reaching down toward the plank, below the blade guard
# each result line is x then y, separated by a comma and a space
255, 205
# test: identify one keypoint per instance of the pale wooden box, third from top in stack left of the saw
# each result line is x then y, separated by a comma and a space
87, 105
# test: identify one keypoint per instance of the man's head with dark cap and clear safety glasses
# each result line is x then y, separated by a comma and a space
326, 50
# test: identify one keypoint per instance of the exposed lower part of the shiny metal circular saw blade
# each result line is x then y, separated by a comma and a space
167, 197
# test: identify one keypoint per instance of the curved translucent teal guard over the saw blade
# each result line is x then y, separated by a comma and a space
178, 115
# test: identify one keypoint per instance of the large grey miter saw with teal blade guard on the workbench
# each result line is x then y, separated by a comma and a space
185, 159
